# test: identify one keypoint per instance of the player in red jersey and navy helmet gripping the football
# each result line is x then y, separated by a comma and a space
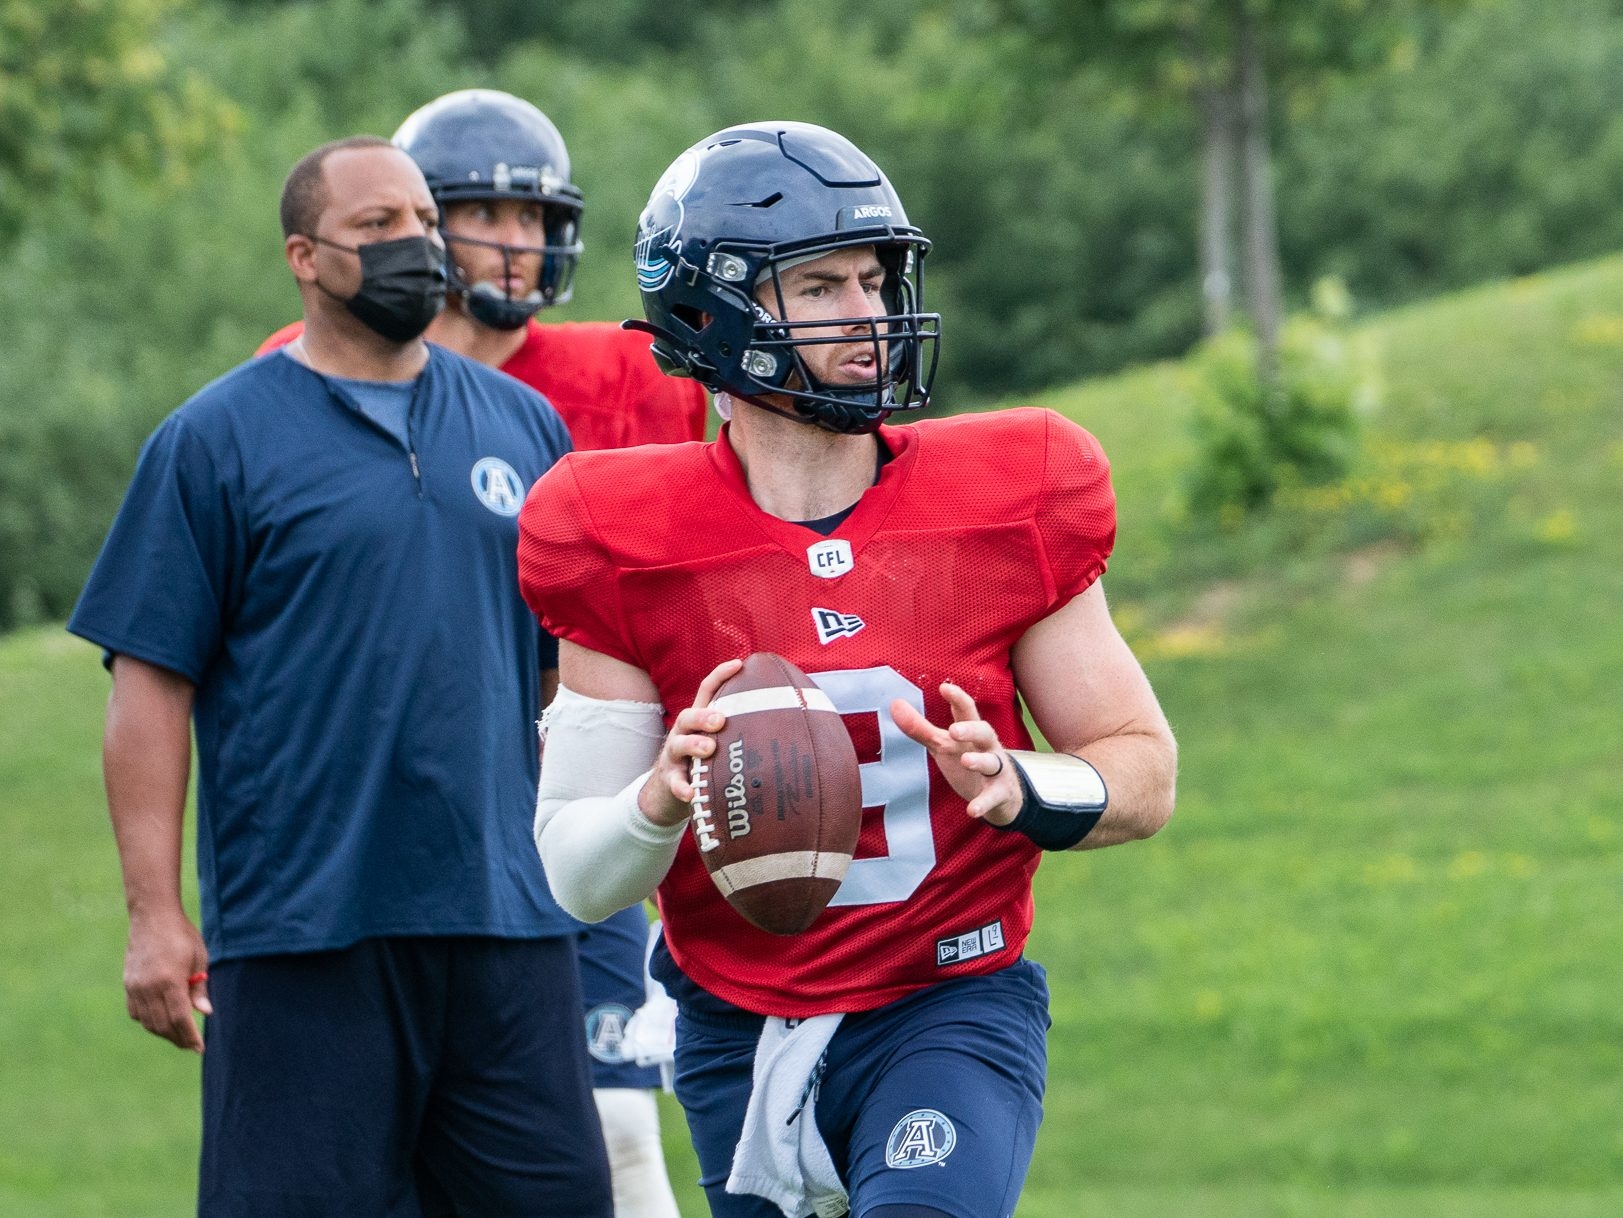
932, 579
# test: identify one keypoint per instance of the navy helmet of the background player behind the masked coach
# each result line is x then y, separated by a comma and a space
488, 145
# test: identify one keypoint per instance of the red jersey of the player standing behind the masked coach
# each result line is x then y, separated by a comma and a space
600, 378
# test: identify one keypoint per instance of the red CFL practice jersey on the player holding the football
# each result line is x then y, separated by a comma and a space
978, 529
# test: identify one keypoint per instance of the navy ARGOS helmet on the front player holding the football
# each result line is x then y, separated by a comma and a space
721, 225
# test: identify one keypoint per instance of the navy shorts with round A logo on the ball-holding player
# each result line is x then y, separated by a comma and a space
929, 1102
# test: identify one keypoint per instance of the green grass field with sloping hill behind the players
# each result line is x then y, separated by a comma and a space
1372, 969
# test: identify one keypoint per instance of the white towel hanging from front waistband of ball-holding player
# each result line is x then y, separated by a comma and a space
781, 1155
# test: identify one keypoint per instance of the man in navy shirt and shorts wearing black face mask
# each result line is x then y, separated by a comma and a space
316, 564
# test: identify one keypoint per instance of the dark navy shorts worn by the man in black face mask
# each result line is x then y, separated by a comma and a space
402, 1079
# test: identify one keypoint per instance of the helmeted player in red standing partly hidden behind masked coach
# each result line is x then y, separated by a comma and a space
510, 217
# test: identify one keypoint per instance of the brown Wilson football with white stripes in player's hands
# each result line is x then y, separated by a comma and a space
778, 806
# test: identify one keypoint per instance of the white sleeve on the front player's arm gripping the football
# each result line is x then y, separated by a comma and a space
598, 849
